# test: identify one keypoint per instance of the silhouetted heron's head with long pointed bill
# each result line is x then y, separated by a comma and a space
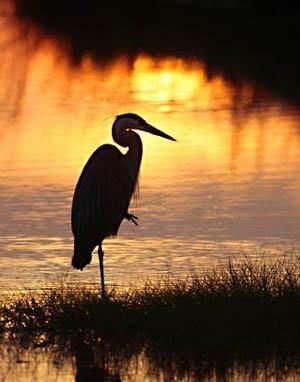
131, 121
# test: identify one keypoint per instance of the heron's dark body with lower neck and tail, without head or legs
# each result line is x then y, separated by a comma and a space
102, 197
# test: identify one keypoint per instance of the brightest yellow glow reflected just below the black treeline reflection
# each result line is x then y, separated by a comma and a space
170, 80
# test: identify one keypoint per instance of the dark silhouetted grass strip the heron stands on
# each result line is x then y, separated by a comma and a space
250, 302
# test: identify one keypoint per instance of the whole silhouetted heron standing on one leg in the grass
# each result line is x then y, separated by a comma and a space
105, 188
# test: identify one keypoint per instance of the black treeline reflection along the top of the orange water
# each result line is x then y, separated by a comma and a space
254, 40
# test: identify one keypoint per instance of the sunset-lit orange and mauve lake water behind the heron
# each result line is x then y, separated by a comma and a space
229, 186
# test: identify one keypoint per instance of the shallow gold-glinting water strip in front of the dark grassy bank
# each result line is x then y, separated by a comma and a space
110, 364
